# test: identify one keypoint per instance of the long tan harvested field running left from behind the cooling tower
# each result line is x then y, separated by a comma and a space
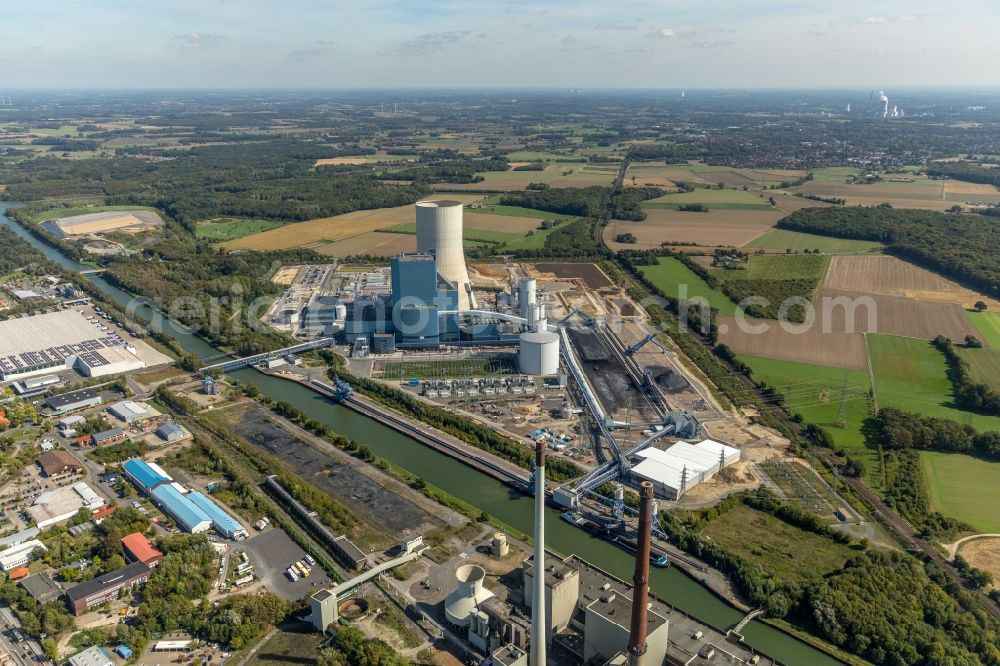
324, 230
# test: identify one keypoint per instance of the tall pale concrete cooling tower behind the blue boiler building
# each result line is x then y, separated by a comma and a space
439, 230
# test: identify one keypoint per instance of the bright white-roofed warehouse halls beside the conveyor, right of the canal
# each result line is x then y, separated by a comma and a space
682, 466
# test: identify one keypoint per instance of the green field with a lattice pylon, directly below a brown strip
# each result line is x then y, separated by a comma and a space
815, 392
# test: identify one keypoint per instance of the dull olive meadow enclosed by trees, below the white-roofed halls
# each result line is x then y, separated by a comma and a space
775, 546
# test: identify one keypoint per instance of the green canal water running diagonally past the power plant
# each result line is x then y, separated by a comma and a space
471, 486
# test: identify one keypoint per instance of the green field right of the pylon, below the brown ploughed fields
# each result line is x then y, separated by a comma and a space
910, 374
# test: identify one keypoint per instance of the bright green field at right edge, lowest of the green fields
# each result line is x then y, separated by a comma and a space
964, 488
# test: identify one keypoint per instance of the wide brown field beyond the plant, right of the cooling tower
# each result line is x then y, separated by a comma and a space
712, 229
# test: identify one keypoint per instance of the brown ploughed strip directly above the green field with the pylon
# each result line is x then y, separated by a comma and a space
832, 349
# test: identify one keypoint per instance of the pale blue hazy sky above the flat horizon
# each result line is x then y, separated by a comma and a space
488, 43
